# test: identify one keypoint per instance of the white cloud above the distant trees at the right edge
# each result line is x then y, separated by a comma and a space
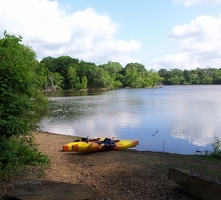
199, 45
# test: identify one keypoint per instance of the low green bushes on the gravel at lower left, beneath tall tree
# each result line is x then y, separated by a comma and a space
16, 153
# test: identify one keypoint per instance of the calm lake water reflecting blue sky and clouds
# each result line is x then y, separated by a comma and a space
175, 119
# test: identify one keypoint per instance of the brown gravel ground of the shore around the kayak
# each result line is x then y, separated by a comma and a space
126, 174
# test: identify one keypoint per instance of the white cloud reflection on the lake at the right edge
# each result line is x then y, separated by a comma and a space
197, 118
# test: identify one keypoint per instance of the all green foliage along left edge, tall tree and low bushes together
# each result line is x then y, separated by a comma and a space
21, 79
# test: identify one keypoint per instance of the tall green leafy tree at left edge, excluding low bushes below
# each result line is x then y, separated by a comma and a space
19, 86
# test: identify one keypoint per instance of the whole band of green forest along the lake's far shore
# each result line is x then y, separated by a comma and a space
68, 73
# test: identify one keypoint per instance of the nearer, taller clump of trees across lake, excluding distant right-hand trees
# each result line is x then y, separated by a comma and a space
67, 73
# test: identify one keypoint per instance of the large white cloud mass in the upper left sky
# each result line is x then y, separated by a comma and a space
52, 30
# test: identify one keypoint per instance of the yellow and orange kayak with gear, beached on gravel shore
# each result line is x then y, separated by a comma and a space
99, 144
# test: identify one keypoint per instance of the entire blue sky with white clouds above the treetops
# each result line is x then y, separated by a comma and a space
160, 34
